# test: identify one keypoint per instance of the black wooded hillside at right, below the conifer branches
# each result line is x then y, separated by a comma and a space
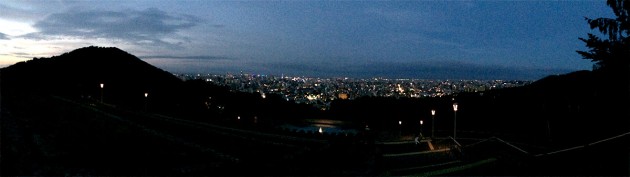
572, 108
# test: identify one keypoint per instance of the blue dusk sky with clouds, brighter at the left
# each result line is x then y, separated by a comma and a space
396, 39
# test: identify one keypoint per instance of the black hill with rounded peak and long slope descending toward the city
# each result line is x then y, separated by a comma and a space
79, 73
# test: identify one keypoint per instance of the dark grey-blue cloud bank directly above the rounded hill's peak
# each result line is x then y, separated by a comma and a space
147, 27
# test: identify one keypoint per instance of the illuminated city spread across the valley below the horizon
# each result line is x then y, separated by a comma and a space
321, 91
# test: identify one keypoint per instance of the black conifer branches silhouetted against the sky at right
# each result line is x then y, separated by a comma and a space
612, 53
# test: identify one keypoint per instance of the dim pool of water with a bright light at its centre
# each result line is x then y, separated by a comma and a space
328, 126
